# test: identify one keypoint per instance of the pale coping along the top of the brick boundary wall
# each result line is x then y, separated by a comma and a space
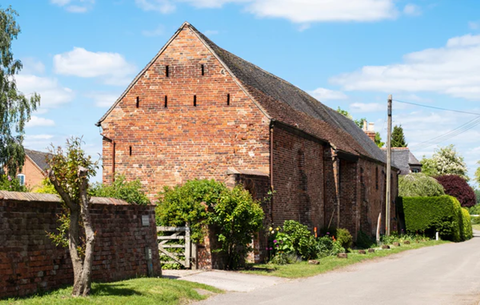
53, 198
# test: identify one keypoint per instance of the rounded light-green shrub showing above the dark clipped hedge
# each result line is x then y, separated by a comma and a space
419, 185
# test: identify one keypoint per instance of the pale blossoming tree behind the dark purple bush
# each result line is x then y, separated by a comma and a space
445, 161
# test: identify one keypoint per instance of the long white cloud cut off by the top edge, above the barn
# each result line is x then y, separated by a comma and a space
304, 12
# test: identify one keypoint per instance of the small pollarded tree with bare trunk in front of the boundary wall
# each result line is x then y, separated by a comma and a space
69, 173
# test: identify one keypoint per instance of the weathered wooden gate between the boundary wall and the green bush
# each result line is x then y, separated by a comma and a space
188, 257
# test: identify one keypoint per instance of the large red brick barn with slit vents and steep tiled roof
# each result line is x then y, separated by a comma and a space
199, 111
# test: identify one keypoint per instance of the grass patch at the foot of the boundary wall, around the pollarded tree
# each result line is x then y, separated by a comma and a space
135, 291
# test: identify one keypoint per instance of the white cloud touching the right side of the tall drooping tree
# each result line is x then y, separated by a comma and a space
52, 94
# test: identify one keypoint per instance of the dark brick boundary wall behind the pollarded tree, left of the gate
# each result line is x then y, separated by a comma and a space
31, 263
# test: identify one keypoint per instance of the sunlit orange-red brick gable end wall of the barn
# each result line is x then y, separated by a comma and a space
181, 142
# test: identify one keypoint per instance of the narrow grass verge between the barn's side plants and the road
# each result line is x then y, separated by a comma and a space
303, 269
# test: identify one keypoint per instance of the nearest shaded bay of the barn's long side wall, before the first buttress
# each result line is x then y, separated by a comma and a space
297, 179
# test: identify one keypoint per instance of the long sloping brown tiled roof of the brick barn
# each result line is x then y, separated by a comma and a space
287, 103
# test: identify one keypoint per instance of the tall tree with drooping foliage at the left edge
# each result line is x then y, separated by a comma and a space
15, 108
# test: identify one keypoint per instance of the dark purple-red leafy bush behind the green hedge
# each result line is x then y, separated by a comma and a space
458, 187
